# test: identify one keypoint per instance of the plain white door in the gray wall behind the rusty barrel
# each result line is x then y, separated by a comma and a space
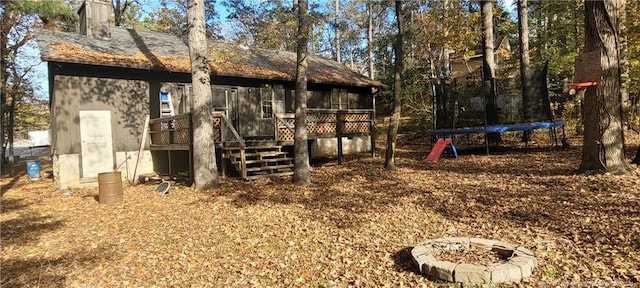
96, 143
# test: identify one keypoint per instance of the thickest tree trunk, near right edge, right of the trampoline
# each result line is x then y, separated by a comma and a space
603, 147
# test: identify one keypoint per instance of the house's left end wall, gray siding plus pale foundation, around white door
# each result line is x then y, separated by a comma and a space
128, 101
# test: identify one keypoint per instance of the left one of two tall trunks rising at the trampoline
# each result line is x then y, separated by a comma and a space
489, 67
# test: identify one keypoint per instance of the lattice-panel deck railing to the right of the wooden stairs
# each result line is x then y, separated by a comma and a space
327, 123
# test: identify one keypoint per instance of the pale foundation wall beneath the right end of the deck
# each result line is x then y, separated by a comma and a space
328, 147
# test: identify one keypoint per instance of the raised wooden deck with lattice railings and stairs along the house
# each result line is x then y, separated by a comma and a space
266, 158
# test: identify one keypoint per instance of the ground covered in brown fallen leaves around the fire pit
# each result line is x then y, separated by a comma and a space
353, 227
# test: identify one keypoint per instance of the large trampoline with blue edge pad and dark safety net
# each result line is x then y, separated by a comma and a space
462, 108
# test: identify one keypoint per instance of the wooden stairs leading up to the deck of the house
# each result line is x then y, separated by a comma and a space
259, 161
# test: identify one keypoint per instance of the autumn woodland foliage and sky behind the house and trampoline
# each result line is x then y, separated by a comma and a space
358, 33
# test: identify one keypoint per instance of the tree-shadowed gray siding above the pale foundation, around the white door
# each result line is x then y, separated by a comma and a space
128, 101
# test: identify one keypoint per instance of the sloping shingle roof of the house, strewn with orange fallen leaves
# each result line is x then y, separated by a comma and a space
159, 51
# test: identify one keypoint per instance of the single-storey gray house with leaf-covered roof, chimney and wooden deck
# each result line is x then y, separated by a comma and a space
105, 81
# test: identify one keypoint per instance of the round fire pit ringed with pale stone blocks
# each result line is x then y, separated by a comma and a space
516, 262
